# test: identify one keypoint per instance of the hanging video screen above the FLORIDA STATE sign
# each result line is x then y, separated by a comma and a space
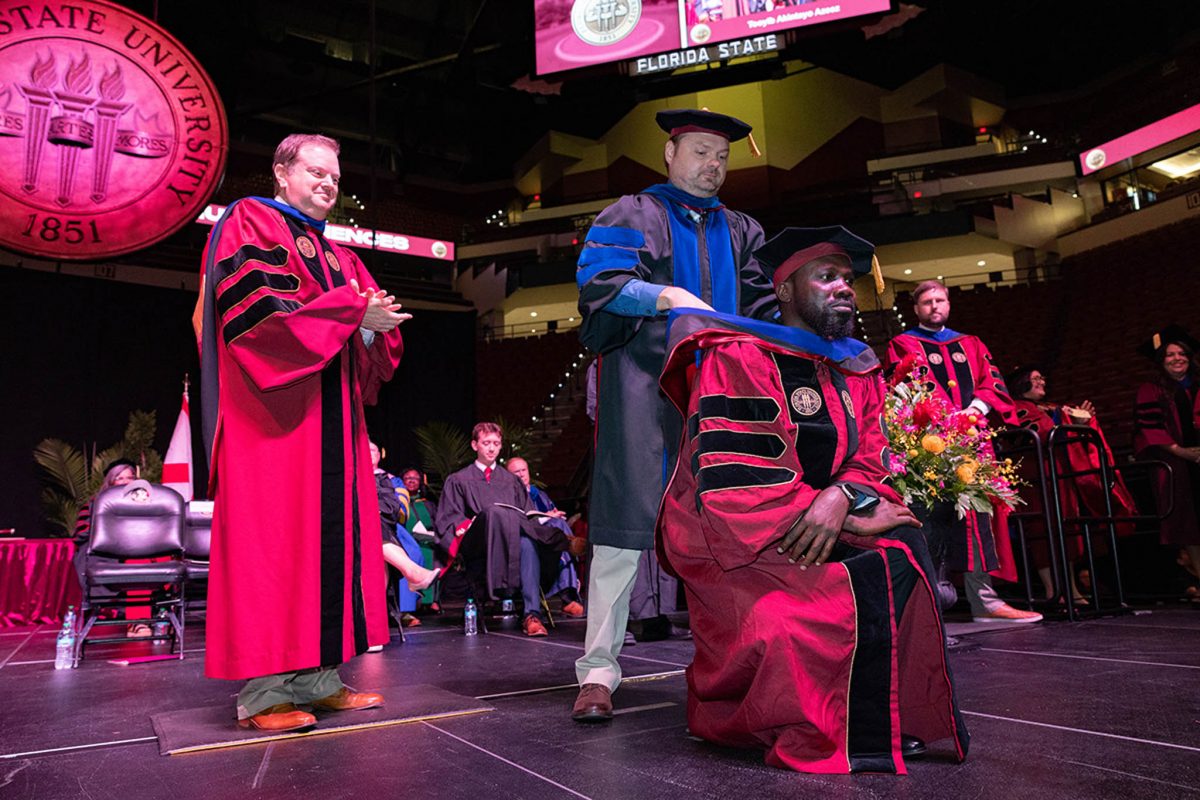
574, 34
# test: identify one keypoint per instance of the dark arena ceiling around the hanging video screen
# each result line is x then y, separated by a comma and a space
455, 98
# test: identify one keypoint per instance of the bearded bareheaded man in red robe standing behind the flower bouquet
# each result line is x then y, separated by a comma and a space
964, 375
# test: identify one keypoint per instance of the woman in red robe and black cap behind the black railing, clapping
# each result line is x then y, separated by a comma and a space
1083, 495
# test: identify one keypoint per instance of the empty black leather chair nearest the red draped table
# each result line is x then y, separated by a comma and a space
128, 528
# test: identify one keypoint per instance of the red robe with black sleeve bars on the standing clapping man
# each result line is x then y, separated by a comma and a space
297, 568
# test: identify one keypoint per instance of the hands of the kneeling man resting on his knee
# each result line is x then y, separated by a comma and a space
811, 542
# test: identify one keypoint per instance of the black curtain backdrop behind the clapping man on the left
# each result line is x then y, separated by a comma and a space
80, 354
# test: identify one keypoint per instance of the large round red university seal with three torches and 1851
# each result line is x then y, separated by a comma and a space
112, 136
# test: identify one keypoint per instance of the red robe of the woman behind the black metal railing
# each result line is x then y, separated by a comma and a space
1081, 495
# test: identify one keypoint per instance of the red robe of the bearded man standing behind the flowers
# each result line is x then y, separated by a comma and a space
965, 360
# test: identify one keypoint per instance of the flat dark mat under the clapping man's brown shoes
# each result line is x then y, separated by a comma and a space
215, 727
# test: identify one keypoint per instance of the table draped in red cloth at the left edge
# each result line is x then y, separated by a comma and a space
38, 581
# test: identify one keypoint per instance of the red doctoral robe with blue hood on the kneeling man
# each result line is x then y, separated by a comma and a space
809, 665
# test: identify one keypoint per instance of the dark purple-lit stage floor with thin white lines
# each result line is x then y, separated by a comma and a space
1108, 708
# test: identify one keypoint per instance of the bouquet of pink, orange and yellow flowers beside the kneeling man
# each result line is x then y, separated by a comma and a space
938, 454
